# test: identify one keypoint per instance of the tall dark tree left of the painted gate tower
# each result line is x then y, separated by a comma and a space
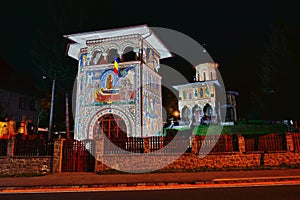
51, 62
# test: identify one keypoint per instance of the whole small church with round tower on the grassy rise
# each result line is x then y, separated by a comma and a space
205, 101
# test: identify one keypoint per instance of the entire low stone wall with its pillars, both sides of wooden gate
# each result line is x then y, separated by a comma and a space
135, 162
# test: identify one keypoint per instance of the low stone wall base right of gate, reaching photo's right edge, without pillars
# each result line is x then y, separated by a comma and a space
192, 162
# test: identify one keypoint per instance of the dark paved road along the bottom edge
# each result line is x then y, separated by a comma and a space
291, 192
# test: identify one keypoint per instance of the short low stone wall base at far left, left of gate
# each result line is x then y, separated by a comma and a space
24, 165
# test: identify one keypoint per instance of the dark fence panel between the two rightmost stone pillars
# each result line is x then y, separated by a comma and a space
270, 142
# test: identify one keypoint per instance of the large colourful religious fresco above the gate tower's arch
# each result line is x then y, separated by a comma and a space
105, 86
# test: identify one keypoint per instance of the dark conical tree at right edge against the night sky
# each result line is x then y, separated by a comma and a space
279, 79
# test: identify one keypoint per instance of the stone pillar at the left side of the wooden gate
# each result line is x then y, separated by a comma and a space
57, 156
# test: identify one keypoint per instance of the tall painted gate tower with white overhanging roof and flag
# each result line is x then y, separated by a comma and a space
118, 85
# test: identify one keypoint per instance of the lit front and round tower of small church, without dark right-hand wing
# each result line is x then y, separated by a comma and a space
198, 101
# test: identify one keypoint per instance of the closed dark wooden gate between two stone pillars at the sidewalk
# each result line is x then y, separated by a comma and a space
78, 156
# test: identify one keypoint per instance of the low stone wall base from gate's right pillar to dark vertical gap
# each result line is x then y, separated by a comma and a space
186, 161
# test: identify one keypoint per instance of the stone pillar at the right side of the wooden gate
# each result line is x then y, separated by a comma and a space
99, 153
